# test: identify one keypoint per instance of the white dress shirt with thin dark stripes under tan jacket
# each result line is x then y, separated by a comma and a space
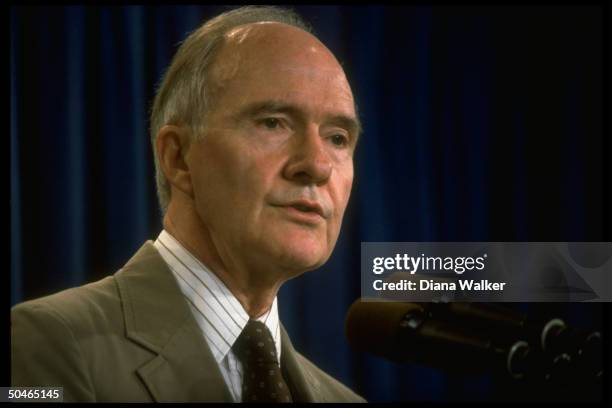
218, 313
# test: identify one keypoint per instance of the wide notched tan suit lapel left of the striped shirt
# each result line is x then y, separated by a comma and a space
158, 318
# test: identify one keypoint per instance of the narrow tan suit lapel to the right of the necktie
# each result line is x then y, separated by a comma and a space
304, 386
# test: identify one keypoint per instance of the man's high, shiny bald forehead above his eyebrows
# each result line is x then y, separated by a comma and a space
280, 62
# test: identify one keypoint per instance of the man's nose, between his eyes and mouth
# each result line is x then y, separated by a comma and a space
309, 162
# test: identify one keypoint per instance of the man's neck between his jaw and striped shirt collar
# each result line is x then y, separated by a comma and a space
254, 293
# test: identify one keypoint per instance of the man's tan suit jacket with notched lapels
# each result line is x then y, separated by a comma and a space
132, 337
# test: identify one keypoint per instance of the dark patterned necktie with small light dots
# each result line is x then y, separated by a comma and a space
262, 379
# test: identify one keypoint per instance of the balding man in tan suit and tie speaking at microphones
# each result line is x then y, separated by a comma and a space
253, 129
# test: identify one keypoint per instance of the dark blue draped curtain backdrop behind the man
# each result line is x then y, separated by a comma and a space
481, 124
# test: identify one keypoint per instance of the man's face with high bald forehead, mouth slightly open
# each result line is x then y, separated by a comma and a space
273, 171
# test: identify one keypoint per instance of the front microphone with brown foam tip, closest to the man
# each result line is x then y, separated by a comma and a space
404, 332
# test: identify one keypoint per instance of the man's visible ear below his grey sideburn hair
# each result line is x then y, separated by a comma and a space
172, 145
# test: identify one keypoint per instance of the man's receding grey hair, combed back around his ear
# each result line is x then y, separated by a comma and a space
183, 96
